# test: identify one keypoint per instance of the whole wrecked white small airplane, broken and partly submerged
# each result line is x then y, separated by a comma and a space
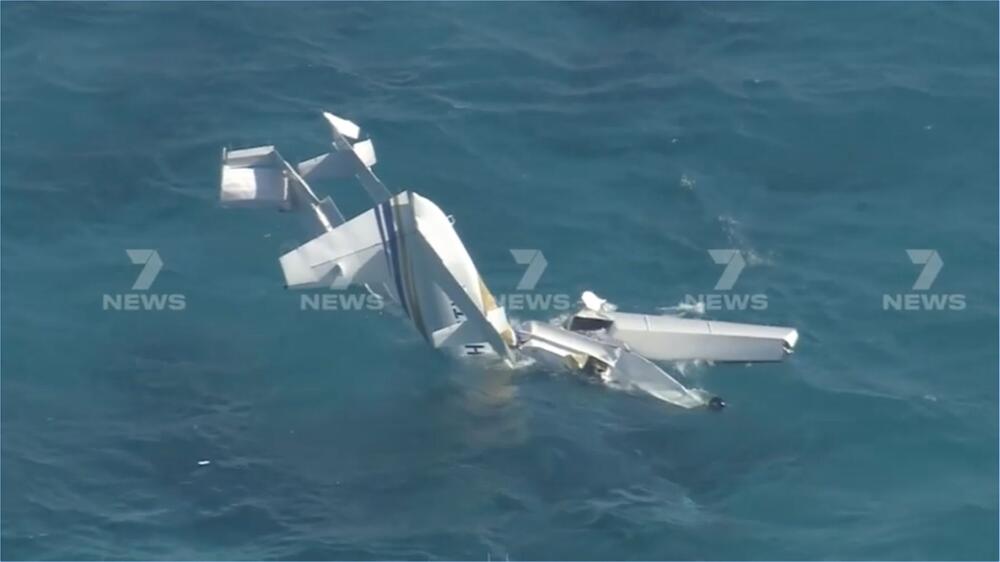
405, 250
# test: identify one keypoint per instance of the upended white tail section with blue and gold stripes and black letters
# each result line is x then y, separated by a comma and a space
407, 247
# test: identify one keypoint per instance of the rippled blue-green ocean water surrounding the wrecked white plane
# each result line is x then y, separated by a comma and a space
623, 141
